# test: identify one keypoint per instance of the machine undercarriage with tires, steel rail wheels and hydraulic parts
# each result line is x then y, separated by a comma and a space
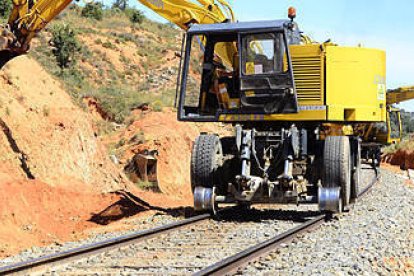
273, 165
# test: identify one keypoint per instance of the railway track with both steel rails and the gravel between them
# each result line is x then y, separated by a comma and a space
193, 240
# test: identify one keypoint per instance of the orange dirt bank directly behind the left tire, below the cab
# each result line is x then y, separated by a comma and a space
173, 139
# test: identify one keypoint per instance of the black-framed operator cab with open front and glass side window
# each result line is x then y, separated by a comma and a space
238, 68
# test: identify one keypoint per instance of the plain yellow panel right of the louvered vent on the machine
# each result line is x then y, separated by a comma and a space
355, 84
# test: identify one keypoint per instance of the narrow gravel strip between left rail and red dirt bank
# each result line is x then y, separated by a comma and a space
137, 224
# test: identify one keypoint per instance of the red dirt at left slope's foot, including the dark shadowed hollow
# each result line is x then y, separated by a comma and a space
32, 213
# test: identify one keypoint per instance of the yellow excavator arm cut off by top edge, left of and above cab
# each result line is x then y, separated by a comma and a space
29, 17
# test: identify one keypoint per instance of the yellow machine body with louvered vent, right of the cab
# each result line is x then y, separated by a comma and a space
334, 84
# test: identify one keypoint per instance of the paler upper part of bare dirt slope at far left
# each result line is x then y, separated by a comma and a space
46, 134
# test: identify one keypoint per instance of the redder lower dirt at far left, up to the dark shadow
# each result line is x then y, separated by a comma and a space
33, 213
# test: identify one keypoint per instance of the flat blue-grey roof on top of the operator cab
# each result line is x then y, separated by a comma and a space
238, 26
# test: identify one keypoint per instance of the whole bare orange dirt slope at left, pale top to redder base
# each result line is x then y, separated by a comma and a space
53, 169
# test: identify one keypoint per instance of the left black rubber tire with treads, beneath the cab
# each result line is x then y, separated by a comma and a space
206, 161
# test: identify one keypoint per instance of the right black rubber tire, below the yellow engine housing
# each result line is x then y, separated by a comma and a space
337, 166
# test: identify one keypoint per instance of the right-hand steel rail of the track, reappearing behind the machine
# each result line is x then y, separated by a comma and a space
233, 263
